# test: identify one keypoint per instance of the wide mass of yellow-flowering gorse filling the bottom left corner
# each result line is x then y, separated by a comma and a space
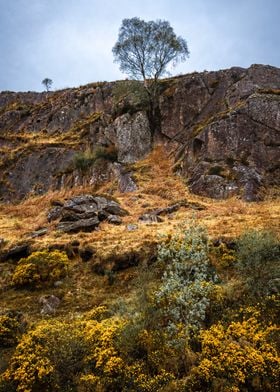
81, 355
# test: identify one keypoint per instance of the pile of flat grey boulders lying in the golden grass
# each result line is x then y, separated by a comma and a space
85, 212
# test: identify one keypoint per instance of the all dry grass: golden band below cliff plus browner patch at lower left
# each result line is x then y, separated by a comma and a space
158, 187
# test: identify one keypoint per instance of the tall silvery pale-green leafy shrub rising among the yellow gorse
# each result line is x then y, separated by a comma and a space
184, 294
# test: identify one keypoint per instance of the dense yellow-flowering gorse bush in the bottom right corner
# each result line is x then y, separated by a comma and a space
236, 358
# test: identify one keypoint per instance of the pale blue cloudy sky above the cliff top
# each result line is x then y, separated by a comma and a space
70, 41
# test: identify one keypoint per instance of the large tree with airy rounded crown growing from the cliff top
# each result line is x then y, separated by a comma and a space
144, 51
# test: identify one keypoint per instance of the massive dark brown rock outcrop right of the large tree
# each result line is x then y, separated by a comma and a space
227, 130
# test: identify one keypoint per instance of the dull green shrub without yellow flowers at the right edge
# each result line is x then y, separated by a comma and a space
258, 254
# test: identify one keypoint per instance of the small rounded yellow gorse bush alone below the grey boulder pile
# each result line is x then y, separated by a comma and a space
40, 268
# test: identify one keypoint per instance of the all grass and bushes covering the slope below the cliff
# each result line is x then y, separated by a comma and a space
187, 318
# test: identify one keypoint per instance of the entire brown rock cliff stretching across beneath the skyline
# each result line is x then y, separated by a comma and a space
222, 127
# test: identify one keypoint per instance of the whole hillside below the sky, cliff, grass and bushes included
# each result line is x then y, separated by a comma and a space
141, 259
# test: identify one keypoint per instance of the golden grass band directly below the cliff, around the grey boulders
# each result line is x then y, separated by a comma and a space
158, 187
